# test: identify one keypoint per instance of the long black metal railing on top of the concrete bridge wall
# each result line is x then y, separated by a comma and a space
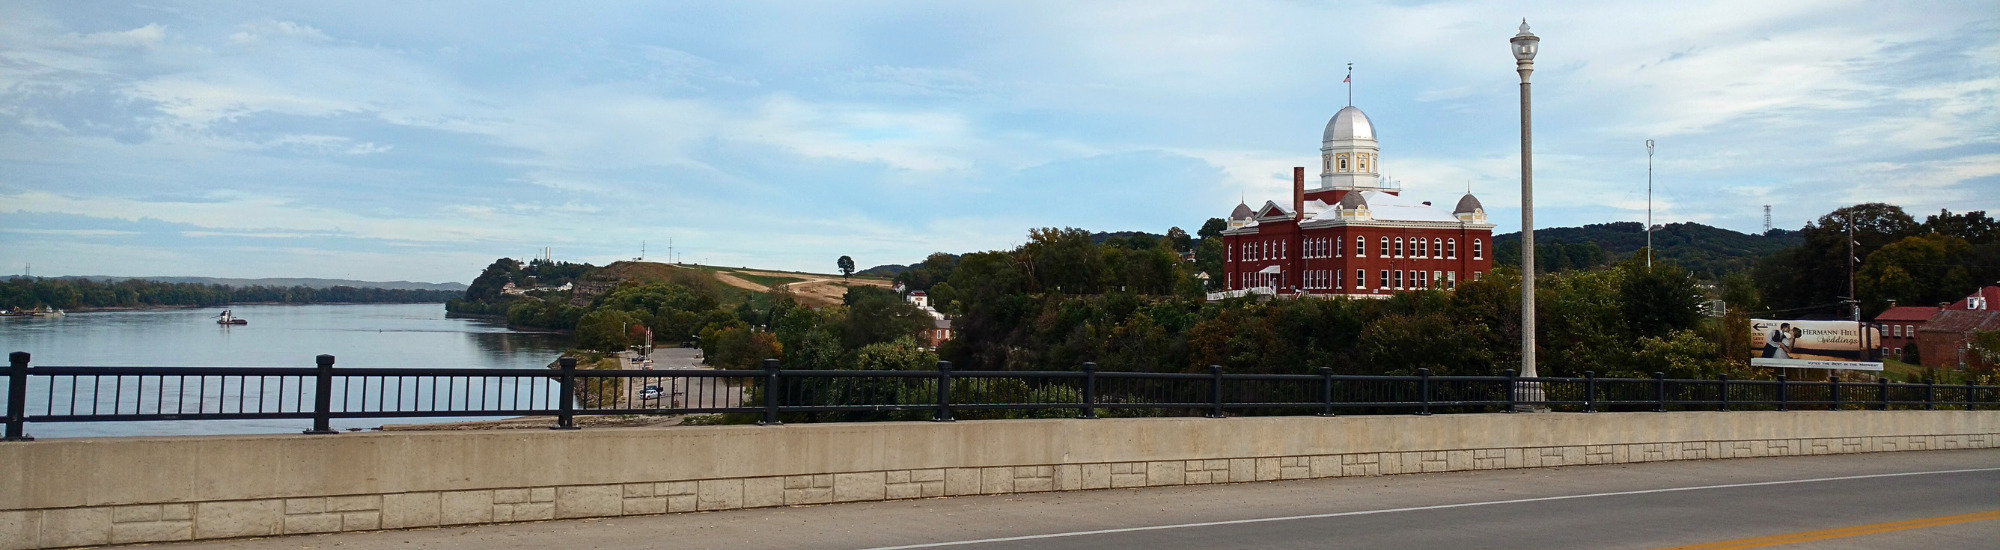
773, 395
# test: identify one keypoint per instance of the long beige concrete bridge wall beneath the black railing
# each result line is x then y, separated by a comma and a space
111, 491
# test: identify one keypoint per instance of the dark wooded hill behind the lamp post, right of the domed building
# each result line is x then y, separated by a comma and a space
1707, 251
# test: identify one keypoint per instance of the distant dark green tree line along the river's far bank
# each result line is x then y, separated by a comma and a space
25, 293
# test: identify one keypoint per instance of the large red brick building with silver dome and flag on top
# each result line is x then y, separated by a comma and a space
1353, 235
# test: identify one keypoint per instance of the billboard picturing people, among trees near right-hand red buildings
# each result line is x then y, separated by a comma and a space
1815, 345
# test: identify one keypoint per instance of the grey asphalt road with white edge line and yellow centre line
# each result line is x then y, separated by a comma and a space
1945, 499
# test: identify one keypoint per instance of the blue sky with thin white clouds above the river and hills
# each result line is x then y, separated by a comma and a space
421, 141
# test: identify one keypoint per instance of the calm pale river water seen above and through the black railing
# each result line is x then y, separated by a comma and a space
355, 335
